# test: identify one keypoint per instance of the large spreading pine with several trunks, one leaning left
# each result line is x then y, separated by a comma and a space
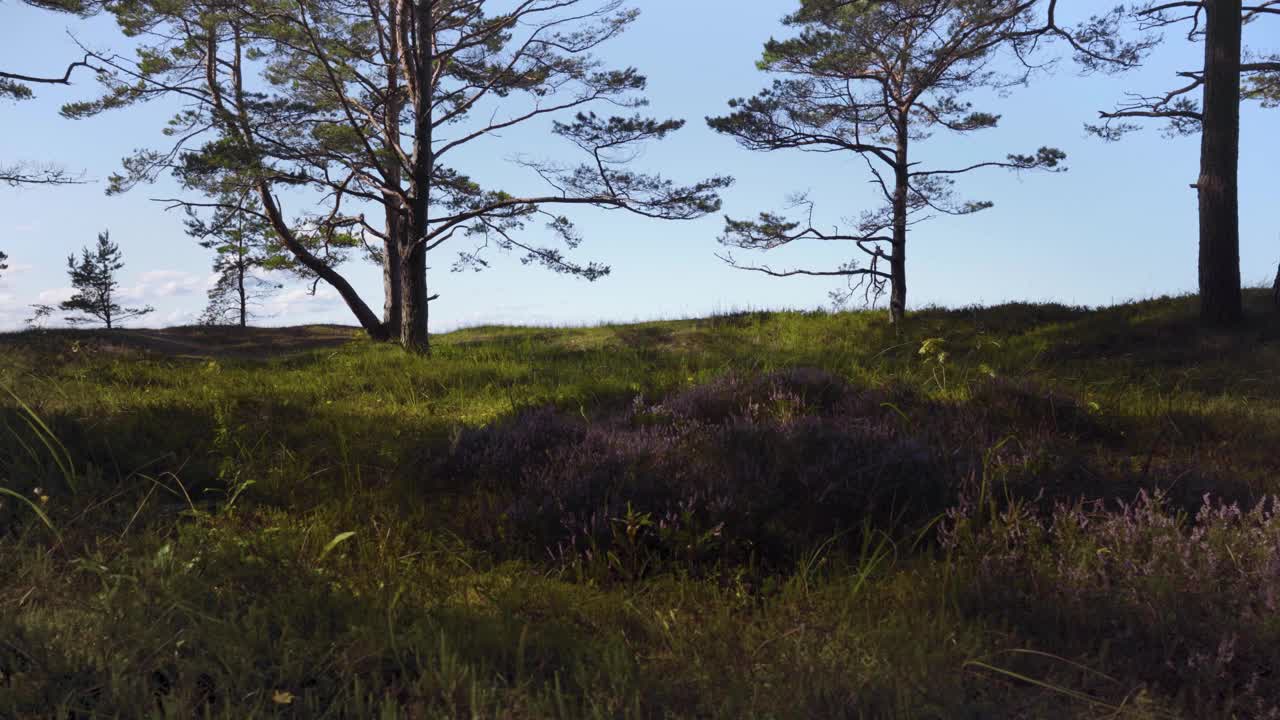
374, 106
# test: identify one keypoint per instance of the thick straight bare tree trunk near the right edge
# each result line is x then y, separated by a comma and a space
1220, 152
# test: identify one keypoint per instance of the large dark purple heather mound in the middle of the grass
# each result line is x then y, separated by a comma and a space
744, 470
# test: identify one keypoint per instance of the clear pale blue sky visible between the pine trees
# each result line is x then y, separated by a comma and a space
1119, 225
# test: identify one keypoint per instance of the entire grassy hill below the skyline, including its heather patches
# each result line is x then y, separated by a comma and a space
1017, 512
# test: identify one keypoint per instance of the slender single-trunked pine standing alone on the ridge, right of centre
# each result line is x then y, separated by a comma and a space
874, 80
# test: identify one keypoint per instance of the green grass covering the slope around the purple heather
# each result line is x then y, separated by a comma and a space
260, 539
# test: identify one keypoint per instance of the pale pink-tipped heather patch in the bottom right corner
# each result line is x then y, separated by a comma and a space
1188, 603
